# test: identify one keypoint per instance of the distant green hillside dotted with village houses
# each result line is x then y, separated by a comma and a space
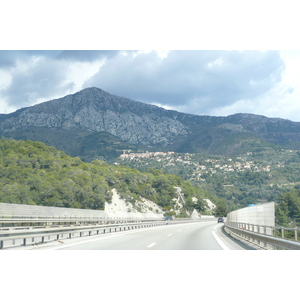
255, 177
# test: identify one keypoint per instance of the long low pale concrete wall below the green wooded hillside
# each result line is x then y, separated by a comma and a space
13, 210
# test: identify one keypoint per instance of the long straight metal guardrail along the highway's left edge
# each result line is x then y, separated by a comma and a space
22, 236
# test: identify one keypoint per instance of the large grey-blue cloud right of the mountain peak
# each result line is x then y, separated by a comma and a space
198, 81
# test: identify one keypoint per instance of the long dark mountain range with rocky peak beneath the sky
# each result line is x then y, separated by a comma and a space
95, 124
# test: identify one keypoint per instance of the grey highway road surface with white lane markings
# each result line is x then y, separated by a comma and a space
205, 235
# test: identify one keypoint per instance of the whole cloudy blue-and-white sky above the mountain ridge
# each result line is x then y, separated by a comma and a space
202, 82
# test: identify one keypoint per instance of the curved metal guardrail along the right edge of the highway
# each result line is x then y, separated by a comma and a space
265, 236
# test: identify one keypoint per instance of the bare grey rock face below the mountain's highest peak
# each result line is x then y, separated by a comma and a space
96, 110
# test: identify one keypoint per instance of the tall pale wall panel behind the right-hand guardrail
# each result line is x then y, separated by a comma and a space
261, 214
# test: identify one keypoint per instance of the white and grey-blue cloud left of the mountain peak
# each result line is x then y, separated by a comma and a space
37, 78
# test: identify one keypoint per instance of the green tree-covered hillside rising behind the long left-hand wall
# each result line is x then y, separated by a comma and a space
35, 174
